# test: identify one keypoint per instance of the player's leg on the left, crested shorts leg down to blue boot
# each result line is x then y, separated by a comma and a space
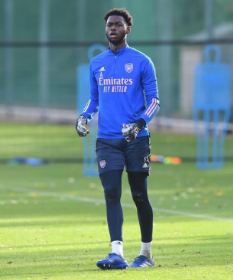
111, 161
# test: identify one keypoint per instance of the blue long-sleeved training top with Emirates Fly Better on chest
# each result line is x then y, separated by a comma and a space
123, 88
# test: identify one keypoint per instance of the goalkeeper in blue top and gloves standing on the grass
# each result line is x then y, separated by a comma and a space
123, 89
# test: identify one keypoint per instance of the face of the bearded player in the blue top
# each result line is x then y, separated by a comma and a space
116, 29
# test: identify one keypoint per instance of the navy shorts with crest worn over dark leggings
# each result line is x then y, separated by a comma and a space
115, 154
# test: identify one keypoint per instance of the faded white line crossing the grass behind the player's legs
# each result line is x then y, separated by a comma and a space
101, 201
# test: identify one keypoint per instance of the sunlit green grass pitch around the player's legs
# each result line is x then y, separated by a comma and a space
52, 219
